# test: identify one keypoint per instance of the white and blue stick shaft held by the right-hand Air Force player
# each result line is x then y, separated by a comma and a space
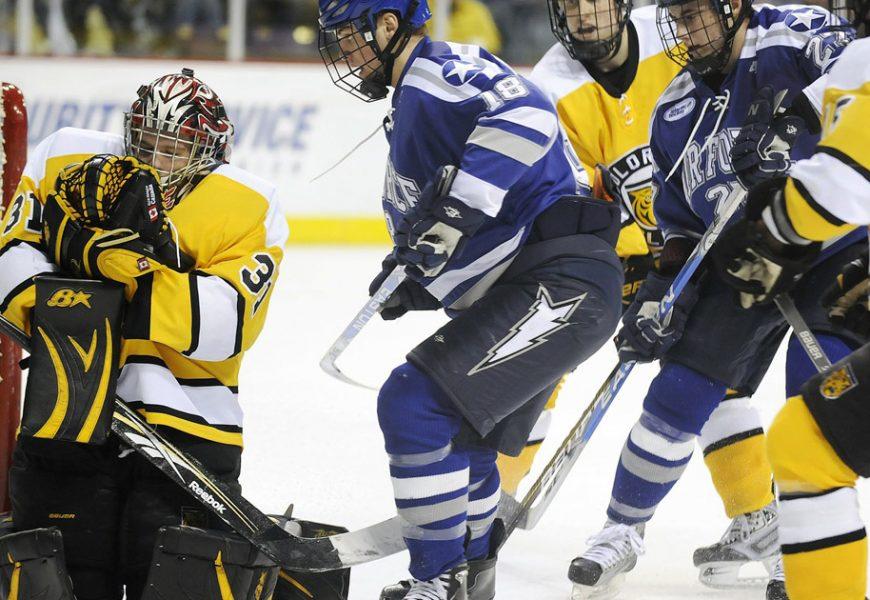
527, 513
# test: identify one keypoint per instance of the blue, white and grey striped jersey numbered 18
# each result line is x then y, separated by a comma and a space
460, 105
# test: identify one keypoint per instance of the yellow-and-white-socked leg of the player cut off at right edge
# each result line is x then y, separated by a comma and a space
818, 447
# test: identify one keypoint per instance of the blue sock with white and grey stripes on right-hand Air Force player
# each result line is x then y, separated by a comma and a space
660, 444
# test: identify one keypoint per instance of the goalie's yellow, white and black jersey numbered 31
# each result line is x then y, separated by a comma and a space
184, 374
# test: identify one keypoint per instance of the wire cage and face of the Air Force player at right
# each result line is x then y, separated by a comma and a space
699, 34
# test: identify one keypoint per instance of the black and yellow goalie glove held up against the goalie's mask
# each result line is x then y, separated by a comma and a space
105, 218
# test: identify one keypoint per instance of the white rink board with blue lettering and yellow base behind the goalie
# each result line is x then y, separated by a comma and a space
291, 122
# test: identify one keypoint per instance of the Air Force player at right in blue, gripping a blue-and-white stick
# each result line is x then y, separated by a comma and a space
728, 51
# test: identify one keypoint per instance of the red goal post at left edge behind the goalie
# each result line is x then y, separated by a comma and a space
13, 154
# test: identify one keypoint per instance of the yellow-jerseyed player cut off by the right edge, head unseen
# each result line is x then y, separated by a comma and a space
818, 441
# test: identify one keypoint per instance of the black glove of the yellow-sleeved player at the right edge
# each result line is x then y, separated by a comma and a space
753, 257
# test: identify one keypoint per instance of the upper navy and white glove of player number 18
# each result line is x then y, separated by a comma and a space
434, 230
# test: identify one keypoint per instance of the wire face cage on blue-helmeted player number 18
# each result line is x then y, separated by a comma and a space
353, 59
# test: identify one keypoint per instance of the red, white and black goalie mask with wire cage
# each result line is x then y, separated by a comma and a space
179, 126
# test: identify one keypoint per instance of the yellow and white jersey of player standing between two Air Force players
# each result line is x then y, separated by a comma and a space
608, 122
